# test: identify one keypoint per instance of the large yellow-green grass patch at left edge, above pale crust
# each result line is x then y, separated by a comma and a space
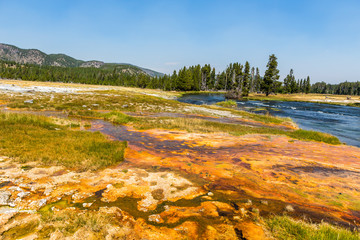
29, 138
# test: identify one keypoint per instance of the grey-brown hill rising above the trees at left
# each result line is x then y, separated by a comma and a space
34, 56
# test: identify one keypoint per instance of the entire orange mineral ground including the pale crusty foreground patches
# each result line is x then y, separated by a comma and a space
180, 185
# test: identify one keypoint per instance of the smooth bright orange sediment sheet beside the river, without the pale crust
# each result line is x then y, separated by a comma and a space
312, 176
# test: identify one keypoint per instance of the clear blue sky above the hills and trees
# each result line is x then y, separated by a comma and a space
319, 38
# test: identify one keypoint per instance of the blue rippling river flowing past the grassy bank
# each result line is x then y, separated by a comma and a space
340, 121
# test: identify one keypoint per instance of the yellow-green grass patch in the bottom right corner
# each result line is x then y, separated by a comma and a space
284, 227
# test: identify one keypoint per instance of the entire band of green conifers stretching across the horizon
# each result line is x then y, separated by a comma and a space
237, 80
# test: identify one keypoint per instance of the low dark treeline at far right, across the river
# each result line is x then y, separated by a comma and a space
345, 88
